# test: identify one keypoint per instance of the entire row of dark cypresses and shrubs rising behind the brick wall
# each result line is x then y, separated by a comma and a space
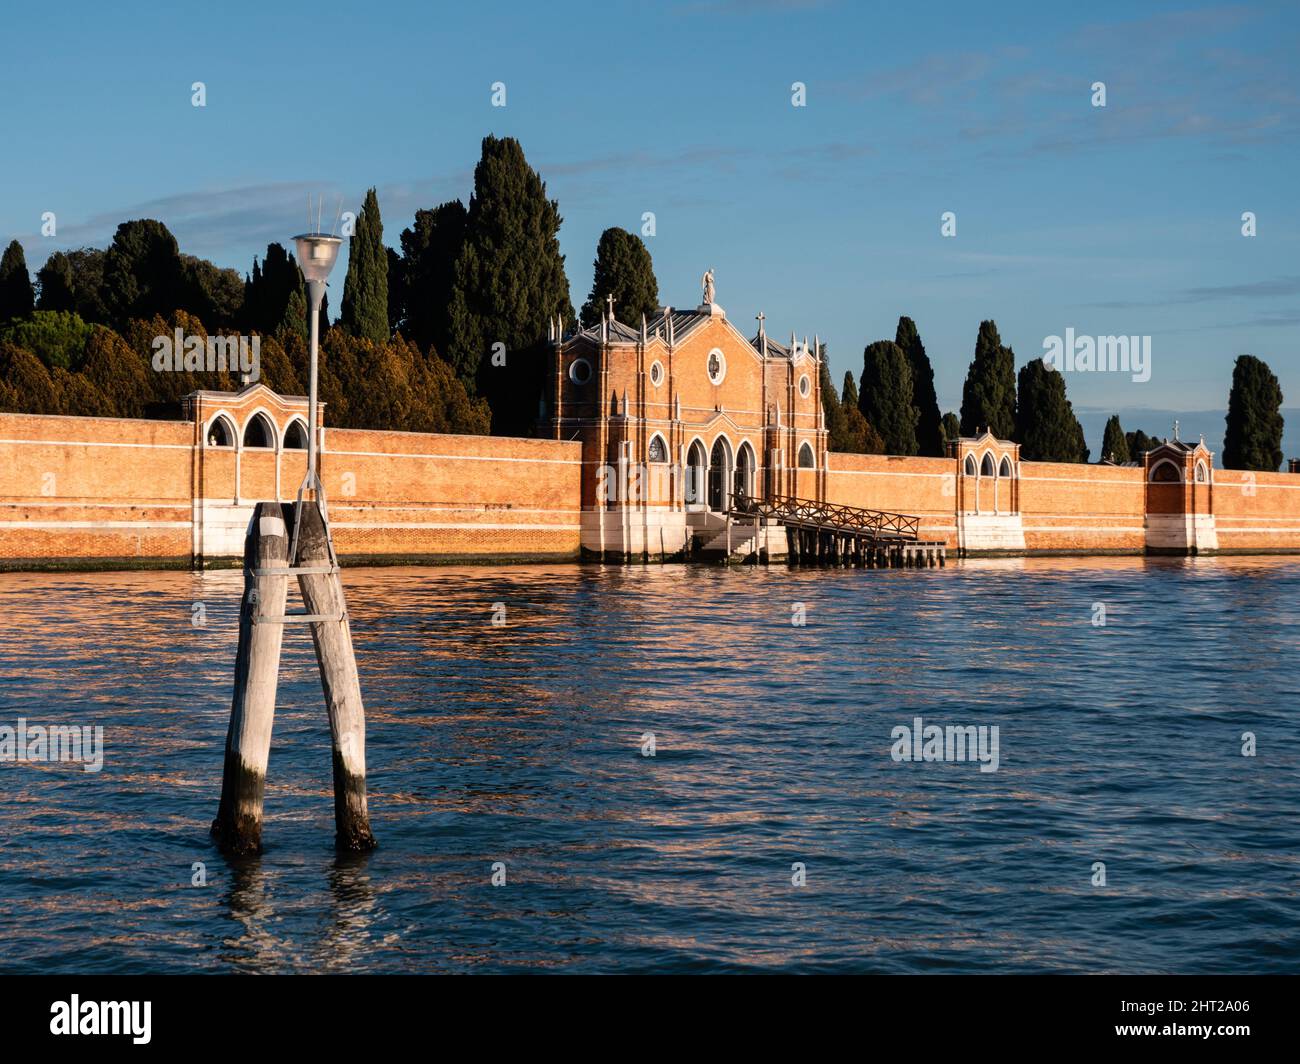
448, 335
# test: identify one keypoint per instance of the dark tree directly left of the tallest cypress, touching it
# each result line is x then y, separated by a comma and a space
430, 253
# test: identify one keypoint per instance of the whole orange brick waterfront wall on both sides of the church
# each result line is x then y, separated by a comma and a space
102, 491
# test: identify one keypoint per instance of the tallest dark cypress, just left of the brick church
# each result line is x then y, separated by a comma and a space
509, 283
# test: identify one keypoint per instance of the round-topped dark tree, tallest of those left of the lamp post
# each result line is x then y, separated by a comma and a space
144, 274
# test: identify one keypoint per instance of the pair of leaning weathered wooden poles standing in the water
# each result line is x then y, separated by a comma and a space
262, 626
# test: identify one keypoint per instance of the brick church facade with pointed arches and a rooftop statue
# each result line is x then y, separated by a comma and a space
678, 419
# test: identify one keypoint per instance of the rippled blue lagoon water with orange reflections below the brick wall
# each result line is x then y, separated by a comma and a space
522, 745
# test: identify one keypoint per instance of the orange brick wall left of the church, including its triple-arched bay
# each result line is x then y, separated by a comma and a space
101, 491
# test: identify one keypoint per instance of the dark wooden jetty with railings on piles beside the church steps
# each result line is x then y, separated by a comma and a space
825, 534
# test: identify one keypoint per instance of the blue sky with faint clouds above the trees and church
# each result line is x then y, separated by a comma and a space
1124, 219
